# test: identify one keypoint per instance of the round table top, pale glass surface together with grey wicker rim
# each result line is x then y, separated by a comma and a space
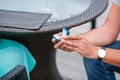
69, 13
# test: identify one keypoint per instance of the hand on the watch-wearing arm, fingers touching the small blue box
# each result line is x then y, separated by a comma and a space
79, 44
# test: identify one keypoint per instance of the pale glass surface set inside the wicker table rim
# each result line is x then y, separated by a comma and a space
59, 9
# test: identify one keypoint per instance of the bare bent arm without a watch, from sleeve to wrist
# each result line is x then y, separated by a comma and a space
108, 33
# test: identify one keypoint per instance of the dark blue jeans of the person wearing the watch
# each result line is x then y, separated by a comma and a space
98, 70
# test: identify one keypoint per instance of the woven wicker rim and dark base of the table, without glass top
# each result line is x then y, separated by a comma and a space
39, 41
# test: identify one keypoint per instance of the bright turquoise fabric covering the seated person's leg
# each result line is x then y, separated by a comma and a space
13, 53
